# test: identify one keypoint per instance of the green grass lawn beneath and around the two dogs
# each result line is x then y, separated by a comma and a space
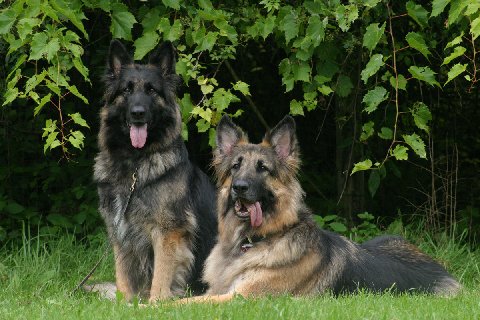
37, 277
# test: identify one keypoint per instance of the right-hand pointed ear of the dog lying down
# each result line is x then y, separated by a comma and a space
283, 138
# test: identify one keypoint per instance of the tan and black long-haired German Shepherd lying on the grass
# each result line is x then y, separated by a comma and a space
268, 242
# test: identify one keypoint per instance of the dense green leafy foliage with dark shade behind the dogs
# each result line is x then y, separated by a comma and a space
375, 85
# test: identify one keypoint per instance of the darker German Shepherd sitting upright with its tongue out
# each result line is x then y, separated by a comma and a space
163, 230
